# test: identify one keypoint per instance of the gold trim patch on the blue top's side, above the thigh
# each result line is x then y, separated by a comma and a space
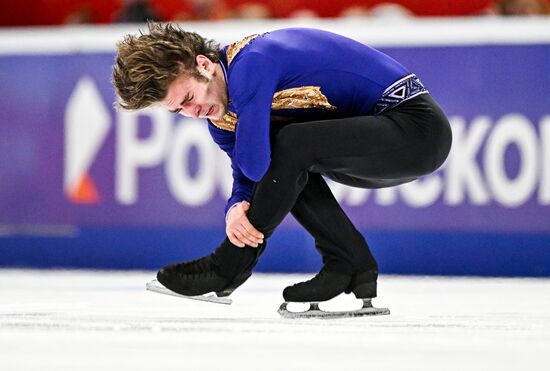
301, 97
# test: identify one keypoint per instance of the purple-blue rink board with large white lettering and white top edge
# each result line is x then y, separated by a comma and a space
86, 186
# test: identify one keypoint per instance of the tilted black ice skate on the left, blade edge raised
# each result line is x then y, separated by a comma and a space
195, 278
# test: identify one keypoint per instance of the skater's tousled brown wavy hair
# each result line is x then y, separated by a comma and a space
146, 64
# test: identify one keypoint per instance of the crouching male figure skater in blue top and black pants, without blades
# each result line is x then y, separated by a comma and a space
288, 107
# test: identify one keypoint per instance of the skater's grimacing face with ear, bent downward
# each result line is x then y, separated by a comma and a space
199, 96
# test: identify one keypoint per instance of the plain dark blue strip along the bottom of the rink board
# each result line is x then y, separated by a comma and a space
401, 252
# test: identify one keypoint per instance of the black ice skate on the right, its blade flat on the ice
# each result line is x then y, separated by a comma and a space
327, 285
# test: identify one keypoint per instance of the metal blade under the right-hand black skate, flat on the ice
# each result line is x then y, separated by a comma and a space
315, 312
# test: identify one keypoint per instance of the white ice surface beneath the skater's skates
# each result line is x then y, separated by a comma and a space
81, 320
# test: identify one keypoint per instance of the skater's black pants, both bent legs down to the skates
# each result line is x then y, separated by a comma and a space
393, 148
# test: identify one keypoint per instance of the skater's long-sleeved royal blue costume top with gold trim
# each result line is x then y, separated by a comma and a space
294, 75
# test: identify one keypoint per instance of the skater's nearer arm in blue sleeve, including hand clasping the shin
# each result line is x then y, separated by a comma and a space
252, 83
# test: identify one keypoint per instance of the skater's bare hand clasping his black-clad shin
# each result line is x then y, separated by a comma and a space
238, 228
